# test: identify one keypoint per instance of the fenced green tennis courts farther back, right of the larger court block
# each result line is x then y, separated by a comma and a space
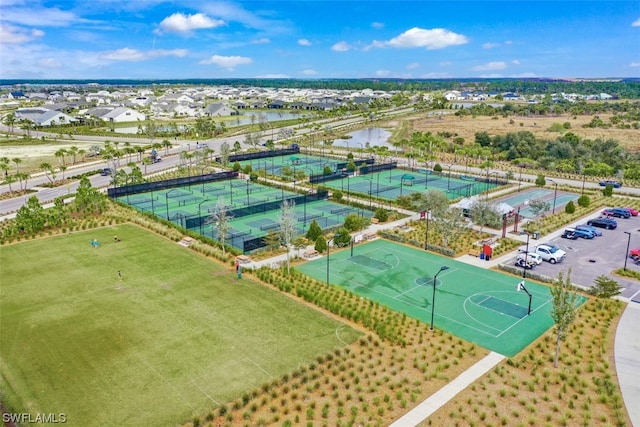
389, 185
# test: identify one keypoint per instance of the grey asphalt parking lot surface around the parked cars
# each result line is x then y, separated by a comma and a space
589, 258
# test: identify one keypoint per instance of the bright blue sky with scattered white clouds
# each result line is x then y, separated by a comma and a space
108, 39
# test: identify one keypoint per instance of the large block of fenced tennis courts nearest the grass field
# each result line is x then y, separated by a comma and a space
255, 209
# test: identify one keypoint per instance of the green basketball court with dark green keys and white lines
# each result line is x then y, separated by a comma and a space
479, 305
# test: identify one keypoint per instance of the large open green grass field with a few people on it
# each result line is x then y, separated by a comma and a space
178, 335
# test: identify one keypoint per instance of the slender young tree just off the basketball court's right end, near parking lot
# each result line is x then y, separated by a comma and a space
564, 309
